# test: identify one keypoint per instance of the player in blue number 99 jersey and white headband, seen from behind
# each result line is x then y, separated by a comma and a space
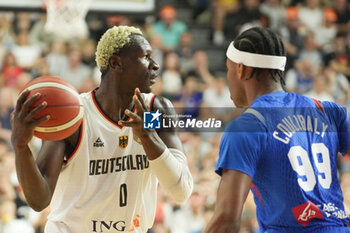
284, 147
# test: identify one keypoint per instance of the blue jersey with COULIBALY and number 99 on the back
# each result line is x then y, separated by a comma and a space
288, 144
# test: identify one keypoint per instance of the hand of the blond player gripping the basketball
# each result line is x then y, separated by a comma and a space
23, 119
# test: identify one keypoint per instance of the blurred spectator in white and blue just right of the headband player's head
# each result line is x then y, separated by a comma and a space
299, 79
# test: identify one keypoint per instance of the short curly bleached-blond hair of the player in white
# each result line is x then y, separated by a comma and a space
111, 42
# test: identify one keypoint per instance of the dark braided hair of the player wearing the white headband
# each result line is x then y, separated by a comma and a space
262, 41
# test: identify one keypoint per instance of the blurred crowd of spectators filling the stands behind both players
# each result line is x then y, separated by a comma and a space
316, 35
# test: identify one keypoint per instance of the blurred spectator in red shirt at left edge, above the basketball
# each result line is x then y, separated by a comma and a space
10, 71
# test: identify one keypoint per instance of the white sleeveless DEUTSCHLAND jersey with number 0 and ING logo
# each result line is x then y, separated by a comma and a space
106, 185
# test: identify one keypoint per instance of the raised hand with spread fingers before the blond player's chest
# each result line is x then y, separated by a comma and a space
136, 119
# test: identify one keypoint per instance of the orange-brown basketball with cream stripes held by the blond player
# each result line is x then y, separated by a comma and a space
63, 106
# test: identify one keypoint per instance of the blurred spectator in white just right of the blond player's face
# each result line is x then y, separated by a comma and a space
171, 76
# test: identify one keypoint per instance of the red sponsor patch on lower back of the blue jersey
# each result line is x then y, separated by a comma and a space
304, 213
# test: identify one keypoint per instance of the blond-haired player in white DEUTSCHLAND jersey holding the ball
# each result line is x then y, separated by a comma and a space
104, 177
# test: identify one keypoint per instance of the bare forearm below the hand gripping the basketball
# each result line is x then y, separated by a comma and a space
35, 187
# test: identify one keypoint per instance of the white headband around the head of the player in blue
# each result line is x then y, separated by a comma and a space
256, 60
